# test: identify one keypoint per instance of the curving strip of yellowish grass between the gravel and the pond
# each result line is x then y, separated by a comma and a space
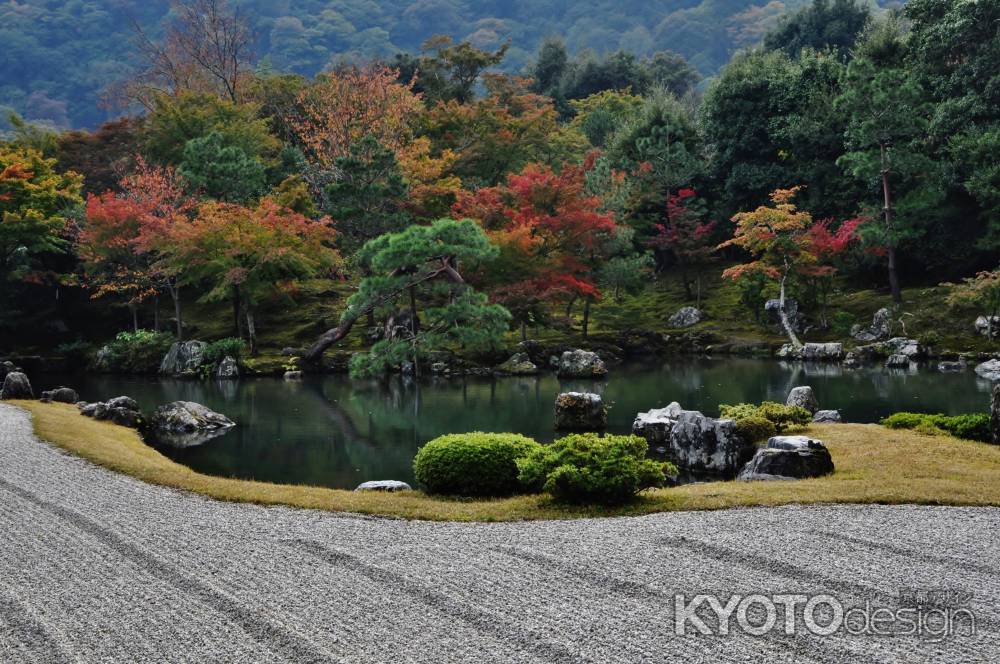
874, 465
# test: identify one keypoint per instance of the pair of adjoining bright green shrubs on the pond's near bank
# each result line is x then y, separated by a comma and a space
581, 468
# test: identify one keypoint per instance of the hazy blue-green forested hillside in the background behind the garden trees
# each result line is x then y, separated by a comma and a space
59, 55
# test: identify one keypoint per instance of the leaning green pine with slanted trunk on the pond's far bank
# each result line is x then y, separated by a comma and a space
420, 266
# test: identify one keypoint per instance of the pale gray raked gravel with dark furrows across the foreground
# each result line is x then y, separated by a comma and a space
98, 567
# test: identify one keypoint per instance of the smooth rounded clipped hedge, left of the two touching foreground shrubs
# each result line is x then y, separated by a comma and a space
472, 464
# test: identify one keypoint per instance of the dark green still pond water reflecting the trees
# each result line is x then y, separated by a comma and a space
332, 431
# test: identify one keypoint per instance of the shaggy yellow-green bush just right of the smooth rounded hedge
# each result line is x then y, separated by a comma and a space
587, 468
